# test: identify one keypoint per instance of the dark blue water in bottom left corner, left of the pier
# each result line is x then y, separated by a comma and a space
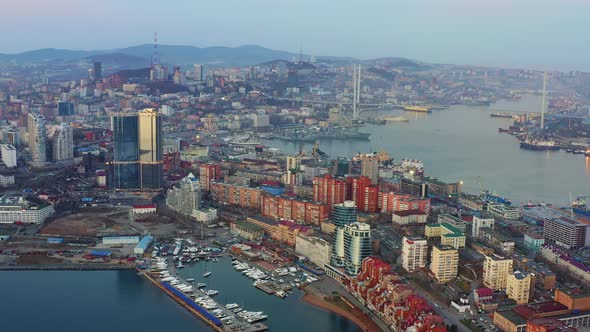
71, 301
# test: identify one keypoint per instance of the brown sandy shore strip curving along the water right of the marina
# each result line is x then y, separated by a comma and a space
357, 317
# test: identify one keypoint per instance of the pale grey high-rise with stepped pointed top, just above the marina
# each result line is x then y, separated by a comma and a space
186, 197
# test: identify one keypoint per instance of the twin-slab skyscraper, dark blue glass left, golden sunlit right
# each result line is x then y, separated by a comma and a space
137, 160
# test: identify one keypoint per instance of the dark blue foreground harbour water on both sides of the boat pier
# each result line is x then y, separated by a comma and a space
71, 301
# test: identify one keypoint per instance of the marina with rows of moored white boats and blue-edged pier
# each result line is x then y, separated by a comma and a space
195, 285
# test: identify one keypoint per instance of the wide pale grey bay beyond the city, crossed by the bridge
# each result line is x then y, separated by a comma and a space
462, 143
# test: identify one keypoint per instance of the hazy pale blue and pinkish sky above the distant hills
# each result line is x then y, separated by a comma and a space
551, 34
